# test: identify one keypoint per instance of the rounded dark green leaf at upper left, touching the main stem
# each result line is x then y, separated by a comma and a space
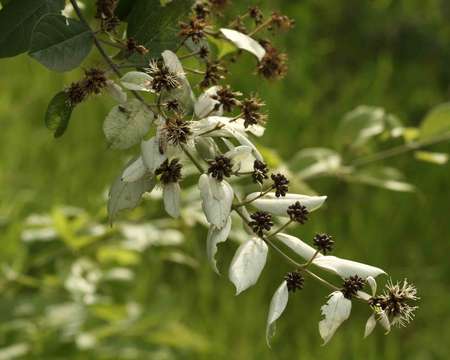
60, 43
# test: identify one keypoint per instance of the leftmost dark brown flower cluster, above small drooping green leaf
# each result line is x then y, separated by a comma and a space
94, 82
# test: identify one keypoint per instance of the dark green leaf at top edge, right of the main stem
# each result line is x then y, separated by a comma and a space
156, 26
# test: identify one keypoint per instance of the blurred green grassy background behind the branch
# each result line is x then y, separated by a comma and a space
393, 54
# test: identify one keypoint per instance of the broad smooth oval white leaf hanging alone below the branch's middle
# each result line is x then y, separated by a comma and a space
248, 263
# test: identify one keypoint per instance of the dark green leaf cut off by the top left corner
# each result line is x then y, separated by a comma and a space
17, 21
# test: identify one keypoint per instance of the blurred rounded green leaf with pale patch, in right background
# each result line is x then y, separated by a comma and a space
361, 124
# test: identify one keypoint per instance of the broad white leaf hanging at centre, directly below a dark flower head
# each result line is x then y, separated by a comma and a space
217, 198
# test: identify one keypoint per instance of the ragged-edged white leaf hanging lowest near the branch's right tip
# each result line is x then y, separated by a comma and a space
335, 312
